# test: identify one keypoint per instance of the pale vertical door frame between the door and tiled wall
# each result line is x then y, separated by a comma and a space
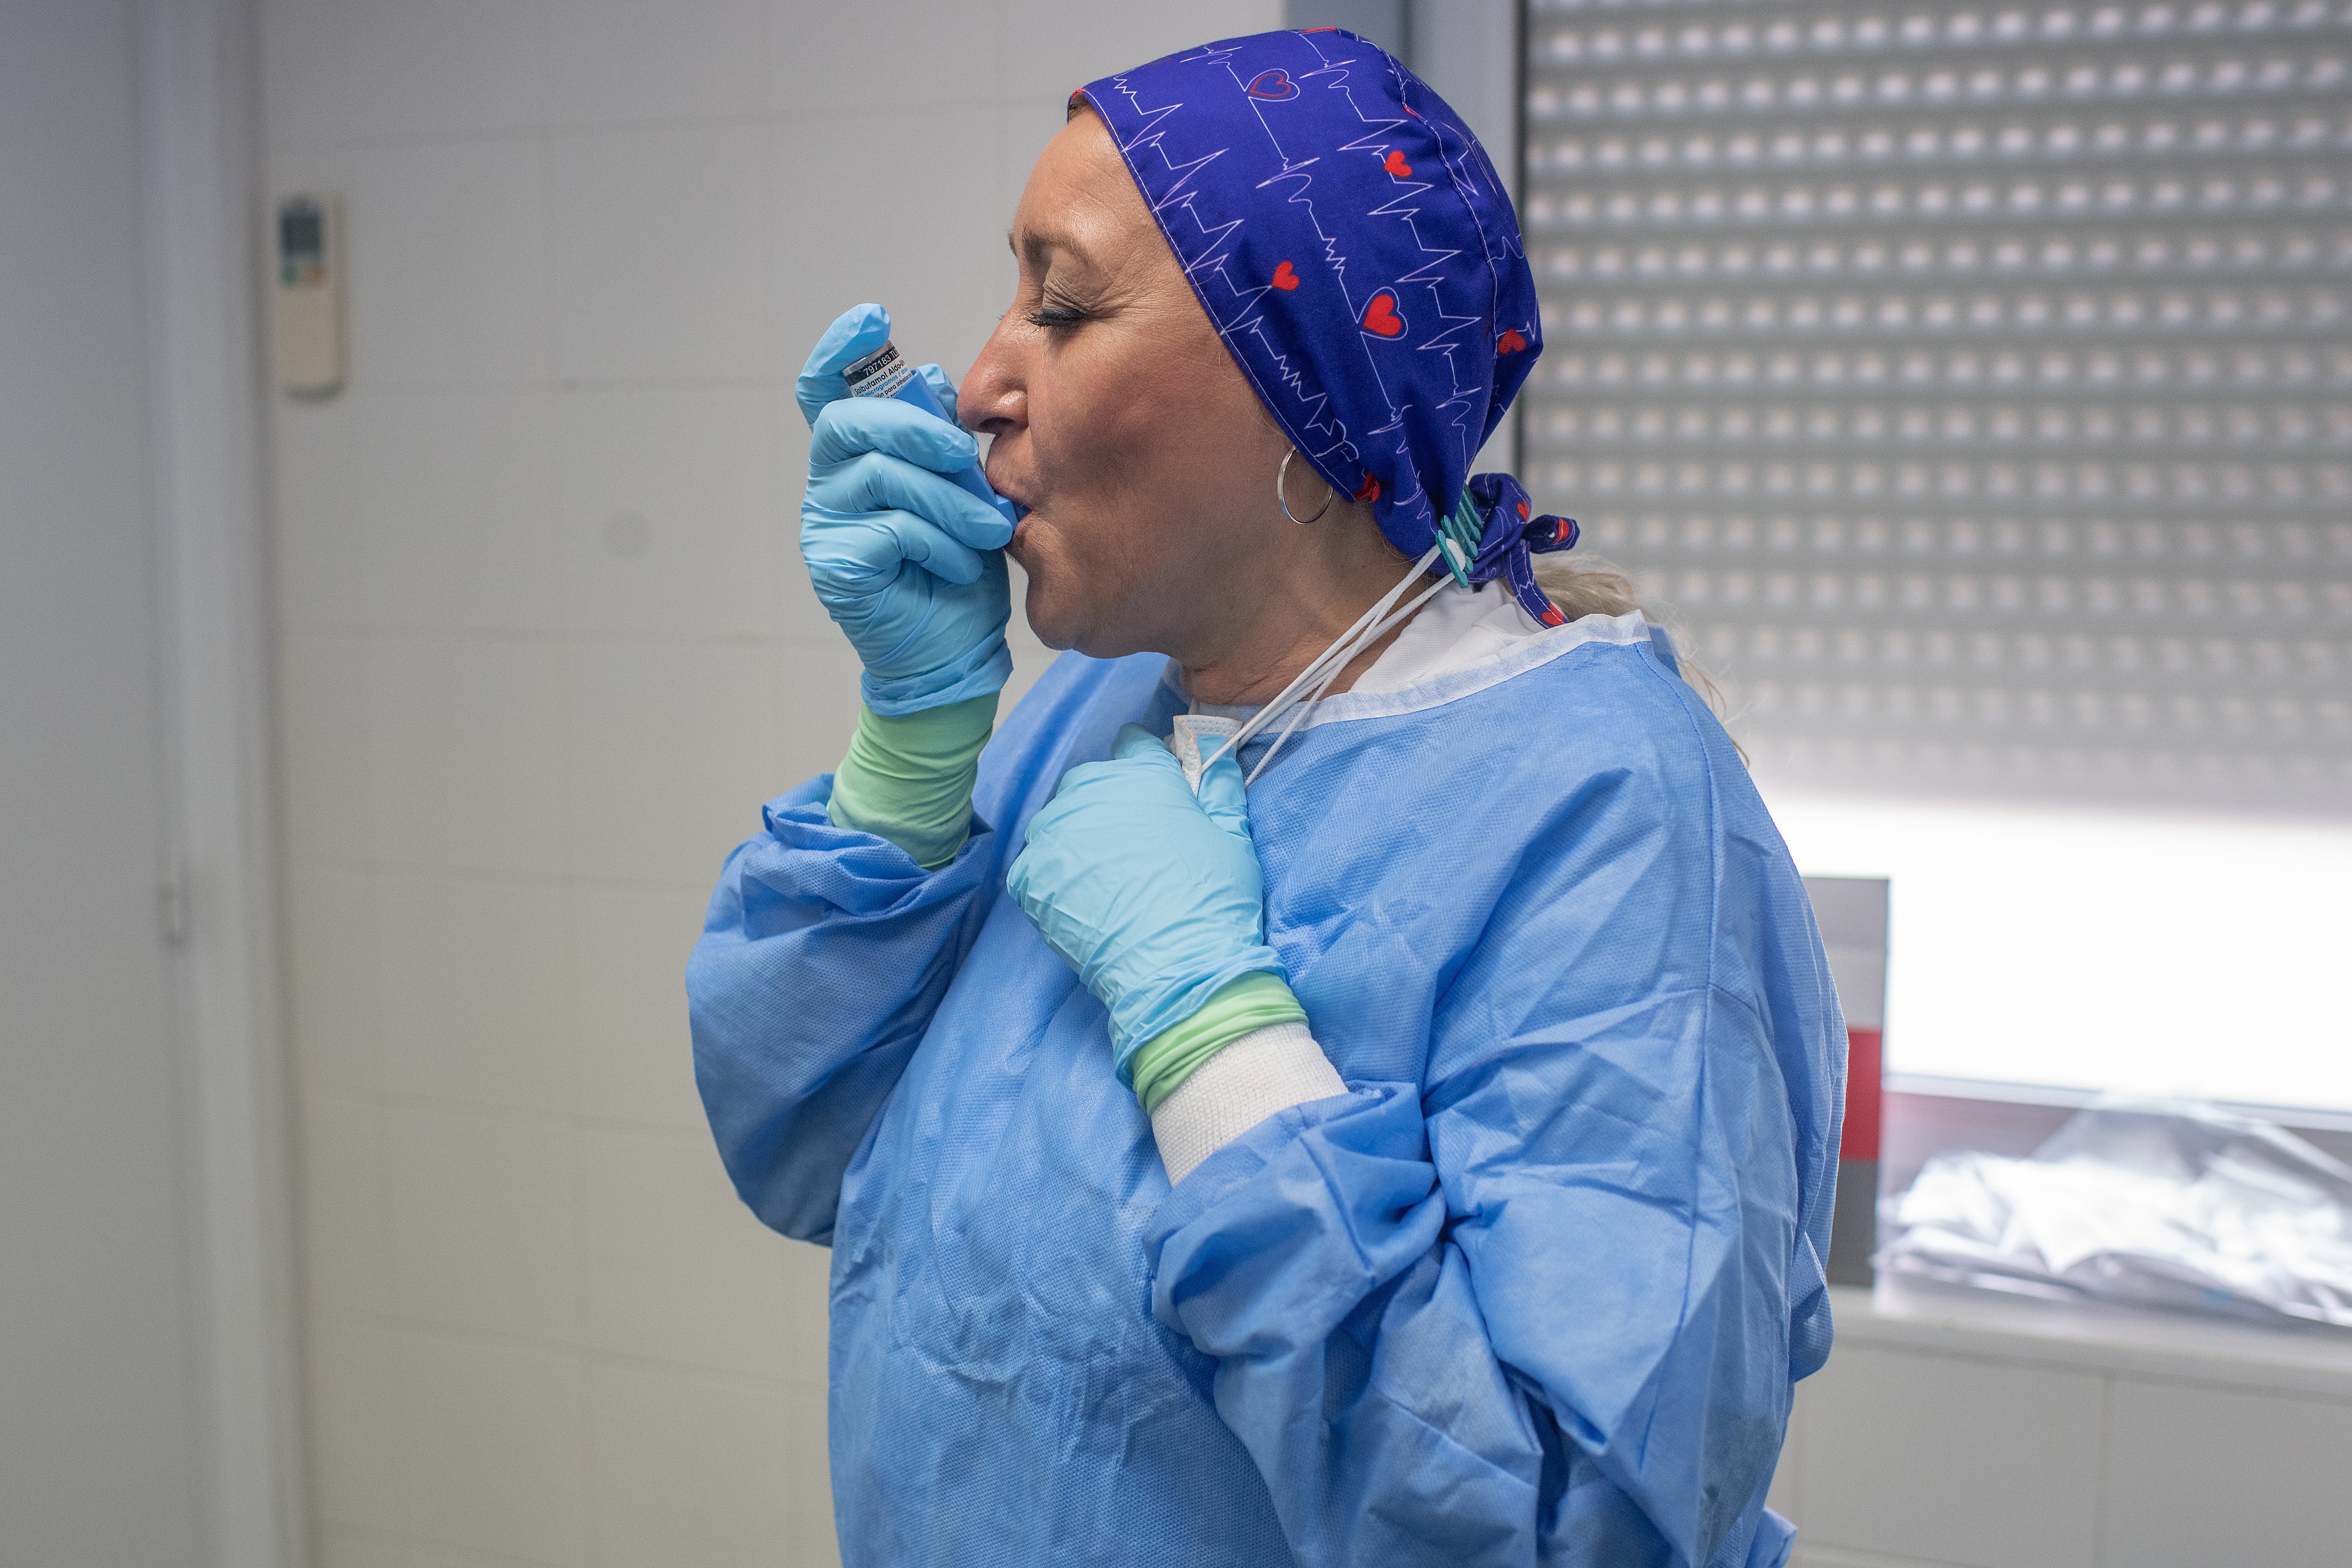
220, 885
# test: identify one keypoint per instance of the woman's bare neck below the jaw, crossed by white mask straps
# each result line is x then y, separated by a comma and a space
1332, 579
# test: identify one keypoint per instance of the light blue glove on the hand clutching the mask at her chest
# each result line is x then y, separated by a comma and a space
1154, 897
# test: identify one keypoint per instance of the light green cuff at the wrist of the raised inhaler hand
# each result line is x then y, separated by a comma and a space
909, 779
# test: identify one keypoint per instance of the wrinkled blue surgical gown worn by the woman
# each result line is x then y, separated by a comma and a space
1532, 1292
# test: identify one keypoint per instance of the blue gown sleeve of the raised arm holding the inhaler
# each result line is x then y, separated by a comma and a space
820, 967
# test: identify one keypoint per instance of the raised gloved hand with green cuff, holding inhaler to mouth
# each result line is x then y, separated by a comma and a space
907, 554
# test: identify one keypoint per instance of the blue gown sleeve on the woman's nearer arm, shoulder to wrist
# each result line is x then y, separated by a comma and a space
1546, 1306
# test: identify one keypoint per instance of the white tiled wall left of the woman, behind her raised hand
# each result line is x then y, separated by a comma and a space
547, 650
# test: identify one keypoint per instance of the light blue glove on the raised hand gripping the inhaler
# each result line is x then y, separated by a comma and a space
907, 563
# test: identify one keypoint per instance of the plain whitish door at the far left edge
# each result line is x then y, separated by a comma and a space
98, 1360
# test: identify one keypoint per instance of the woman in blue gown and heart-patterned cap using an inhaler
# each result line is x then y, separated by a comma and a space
1347, 1071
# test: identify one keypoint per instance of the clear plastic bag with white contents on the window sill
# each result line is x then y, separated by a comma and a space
2146, 1202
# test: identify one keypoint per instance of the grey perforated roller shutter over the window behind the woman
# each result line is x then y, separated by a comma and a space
1970, 382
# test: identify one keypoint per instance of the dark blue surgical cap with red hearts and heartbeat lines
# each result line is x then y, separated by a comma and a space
1363, 262
